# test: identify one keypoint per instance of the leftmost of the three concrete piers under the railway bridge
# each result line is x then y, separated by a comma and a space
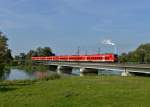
64, 69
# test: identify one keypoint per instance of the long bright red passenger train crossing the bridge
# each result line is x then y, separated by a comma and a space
81, 58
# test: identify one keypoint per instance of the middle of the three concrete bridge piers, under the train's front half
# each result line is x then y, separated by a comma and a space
88, 71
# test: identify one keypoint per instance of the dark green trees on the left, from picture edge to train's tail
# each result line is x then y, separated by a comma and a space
6, 57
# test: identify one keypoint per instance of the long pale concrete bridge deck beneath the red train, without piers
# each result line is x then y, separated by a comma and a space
132, 68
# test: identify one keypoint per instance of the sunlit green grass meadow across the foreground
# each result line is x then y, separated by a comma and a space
105, 91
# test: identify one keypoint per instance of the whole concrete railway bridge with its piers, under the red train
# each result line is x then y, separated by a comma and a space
125, 69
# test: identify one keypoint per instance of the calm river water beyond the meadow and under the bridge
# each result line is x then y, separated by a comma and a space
17, 74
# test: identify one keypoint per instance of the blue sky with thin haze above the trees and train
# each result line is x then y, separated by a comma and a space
65, 25
